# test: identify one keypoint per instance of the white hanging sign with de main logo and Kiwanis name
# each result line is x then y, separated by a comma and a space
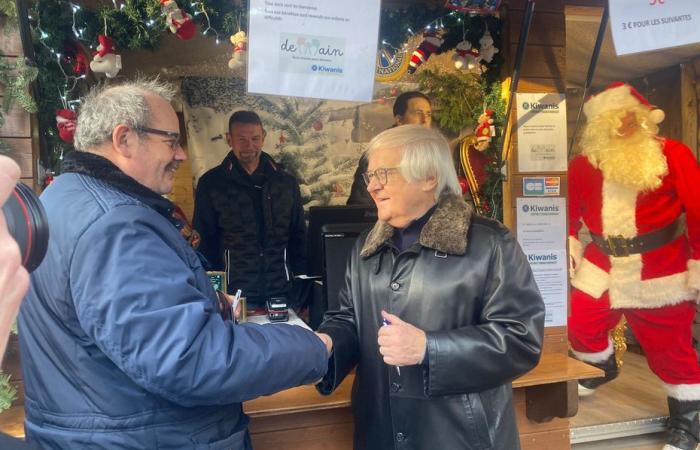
313, 48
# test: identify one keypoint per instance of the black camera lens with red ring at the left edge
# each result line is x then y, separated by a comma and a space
26, 222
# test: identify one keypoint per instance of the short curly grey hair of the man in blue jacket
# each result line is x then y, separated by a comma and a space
106, 106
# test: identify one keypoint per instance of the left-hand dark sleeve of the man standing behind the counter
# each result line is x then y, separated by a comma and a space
205, 221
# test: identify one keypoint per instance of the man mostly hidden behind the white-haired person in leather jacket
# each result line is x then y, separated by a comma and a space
410, 108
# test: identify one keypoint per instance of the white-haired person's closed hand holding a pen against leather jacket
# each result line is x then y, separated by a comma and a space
401, 343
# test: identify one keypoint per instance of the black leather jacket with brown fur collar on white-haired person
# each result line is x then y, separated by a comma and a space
467, 283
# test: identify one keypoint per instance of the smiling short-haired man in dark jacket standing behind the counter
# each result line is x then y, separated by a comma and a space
249, 214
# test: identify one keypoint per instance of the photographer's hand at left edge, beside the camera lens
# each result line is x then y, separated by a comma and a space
14, 279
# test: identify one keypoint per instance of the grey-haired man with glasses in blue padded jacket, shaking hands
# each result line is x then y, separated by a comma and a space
122, 341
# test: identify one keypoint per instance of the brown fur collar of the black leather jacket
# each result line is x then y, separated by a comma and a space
445, 231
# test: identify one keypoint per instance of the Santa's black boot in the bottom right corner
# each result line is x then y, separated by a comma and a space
683, 424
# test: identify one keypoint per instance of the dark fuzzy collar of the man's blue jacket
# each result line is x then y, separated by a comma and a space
101, 168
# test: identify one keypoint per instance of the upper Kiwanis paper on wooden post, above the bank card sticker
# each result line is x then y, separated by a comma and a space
541, 132
